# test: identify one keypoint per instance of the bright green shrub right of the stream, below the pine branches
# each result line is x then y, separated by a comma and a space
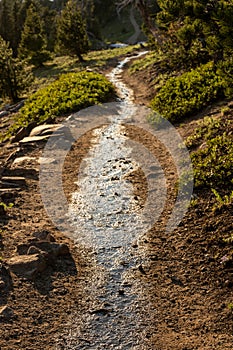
188, 93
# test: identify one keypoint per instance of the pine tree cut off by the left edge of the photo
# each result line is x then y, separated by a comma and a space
14, 76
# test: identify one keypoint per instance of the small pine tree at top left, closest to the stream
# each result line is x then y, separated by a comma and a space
72, 35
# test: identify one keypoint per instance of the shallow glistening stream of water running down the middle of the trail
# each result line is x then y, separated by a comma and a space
106, 215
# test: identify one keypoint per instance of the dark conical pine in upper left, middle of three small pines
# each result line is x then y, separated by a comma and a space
33, 40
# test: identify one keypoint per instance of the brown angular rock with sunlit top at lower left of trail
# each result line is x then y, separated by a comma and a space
27, 266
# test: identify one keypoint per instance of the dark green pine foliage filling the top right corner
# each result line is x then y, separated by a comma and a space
201, 29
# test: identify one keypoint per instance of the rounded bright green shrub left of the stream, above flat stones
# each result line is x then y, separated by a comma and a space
70, 93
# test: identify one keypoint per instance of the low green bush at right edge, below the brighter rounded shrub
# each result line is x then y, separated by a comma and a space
212, 157
